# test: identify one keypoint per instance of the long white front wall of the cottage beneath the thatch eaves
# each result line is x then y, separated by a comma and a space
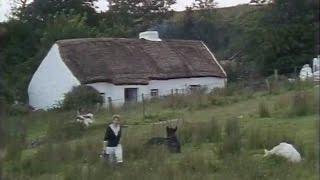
116, 92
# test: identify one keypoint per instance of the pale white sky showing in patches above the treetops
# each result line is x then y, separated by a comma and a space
181, 4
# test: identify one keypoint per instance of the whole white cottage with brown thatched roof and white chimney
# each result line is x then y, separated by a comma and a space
123, 69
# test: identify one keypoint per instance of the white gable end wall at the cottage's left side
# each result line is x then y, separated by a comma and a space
51, 81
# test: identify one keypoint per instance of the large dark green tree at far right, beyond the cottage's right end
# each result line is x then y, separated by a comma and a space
283, 36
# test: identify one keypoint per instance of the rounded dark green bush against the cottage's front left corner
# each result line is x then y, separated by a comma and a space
82, 97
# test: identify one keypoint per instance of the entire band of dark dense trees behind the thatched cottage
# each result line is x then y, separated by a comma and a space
280, 35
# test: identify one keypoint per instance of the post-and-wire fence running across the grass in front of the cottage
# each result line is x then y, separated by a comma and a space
156, 106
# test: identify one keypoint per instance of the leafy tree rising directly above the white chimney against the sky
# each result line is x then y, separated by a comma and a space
133, 16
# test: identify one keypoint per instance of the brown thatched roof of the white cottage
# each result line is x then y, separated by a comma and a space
136, 61
